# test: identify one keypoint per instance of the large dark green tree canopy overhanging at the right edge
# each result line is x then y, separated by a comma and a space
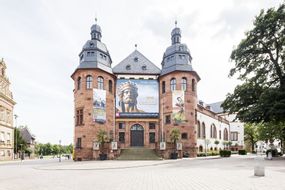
260, 64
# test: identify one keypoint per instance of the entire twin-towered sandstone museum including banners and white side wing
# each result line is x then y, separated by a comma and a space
138, 104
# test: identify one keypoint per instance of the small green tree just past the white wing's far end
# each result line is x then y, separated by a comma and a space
251, 134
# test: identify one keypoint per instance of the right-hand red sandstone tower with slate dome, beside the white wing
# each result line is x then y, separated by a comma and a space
178, 94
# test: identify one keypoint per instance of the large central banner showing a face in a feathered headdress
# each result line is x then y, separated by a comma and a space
137, 98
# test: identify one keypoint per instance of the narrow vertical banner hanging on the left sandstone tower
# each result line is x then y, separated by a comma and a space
99, 105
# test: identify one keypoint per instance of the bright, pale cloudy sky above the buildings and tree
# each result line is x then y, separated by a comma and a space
40, 41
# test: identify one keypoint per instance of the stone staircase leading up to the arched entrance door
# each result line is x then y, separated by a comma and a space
138, 154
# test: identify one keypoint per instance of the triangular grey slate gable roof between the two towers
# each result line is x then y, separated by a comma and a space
136, 63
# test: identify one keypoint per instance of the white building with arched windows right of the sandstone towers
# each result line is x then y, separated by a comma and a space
215, 125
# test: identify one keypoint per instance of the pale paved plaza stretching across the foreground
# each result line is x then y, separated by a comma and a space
200, 173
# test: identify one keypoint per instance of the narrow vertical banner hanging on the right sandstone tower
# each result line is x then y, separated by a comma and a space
178, 107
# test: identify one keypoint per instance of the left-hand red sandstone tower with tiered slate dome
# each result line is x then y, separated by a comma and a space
93, 96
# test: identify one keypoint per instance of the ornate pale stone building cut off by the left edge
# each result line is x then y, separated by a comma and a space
6, 116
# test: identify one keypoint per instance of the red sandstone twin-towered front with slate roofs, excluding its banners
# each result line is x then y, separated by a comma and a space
154, 129
